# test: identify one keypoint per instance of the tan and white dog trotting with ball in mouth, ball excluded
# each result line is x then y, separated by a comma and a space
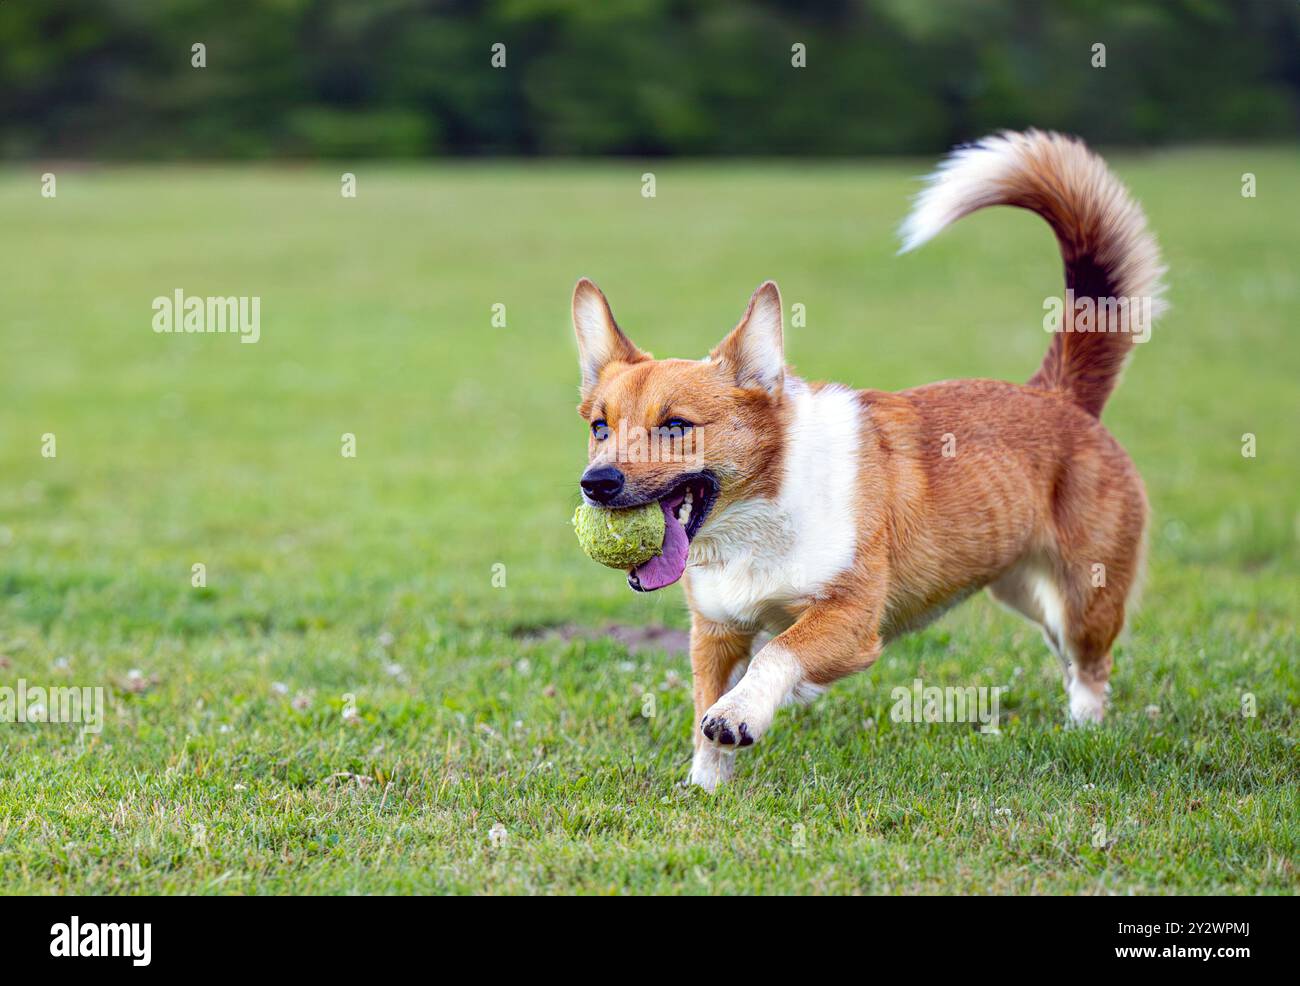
839, 520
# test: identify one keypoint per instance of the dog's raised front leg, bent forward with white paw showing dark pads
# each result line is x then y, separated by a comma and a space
830, 641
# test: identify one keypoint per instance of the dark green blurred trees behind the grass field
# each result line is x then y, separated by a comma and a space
406, 79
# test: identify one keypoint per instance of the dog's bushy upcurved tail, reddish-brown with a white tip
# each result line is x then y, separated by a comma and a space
1112, 262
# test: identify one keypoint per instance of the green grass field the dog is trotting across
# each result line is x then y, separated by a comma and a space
227, 764
